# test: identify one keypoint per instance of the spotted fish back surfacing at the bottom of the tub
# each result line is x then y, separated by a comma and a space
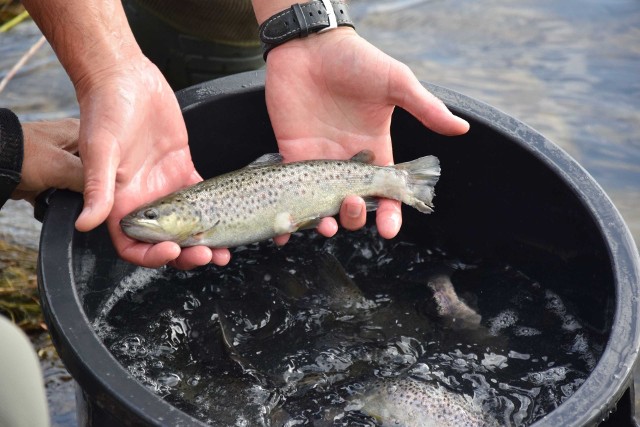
408, 402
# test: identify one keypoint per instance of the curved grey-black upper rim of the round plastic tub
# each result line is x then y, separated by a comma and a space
82, 351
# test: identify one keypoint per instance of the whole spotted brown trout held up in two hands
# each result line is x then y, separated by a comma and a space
268, 198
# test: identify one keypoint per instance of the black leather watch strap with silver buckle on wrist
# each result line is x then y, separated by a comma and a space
302, 19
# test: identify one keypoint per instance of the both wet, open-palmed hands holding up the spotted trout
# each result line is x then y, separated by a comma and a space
328, 96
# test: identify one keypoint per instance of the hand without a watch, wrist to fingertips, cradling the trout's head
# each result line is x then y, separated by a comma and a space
133, 144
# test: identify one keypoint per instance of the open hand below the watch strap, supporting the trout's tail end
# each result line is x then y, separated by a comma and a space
332, 95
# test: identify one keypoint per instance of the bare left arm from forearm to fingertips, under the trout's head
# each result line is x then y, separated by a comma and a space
133, 141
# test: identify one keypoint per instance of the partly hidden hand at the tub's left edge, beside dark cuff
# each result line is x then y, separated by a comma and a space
49, 159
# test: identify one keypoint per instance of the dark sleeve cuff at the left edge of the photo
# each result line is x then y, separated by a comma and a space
11, 153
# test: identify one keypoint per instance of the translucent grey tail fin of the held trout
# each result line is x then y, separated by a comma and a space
423, 174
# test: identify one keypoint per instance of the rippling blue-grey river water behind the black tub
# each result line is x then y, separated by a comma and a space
569, 69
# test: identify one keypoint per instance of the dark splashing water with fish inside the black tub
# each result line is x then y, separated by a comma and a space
353, 330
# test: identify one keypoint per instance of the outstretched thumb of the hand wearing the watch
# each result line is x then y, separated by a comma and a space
408, 93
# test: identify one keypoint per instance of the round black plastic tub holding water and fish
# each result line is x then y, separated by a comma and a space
505, 192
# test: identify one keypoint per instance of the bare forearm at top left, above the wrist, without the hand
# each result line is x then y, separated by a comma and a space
88, 36
